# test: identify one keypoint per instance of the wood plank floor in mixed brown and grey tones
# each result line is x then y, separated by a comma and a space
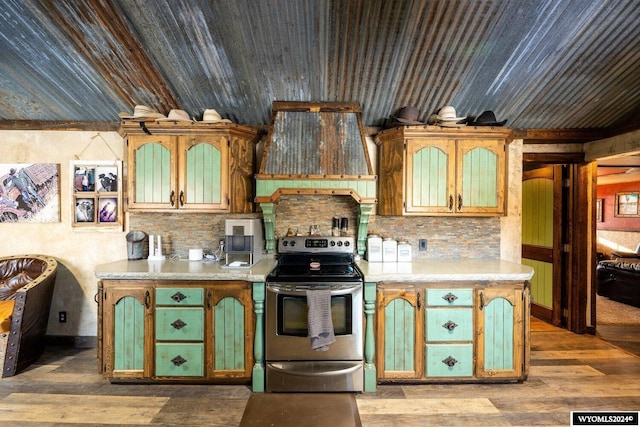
568, 372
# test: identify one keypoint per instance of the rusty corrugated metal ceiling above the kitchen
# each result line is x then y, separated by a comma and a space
538, 63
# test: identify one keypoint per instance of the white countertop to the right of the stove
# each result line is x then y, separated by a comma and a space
438, 270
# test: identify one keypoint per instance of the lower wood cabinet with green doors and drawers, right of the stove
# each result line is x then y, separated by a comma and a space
462, 331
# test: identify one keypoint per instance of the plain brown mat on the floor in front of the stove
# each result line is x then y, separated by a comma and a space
301, 410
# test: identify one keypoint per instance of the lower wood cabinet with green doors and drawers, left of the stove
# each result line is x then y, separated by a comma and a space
176, 330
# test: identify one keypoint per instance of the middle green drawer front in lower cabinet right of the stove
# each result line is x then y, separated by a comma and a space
449, 324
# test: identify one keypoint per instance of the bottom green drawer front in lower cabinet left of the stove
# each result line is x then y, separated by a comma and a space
180, 360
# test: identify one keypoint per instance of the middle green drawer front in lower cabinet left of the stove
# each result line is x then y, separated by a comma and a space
179, 324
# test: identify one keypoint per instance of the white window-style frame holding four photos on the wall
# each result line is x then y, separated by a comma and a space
97, 195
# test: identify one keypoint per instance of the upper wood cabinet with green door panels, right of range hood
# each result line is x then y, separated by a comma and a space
425, 170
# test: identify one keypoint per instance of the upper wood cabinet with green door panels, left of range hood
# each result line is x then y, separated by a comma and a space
192, 168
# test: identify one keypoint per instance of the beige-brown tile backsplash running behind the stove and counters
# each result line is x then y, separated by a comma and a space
447, 237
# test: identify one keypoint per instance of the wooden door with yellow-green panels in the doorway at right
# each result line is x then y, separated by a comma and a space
542, 240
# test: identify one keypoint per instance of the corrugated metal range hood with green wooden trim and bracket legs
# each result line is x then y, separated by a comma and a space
315, 148
